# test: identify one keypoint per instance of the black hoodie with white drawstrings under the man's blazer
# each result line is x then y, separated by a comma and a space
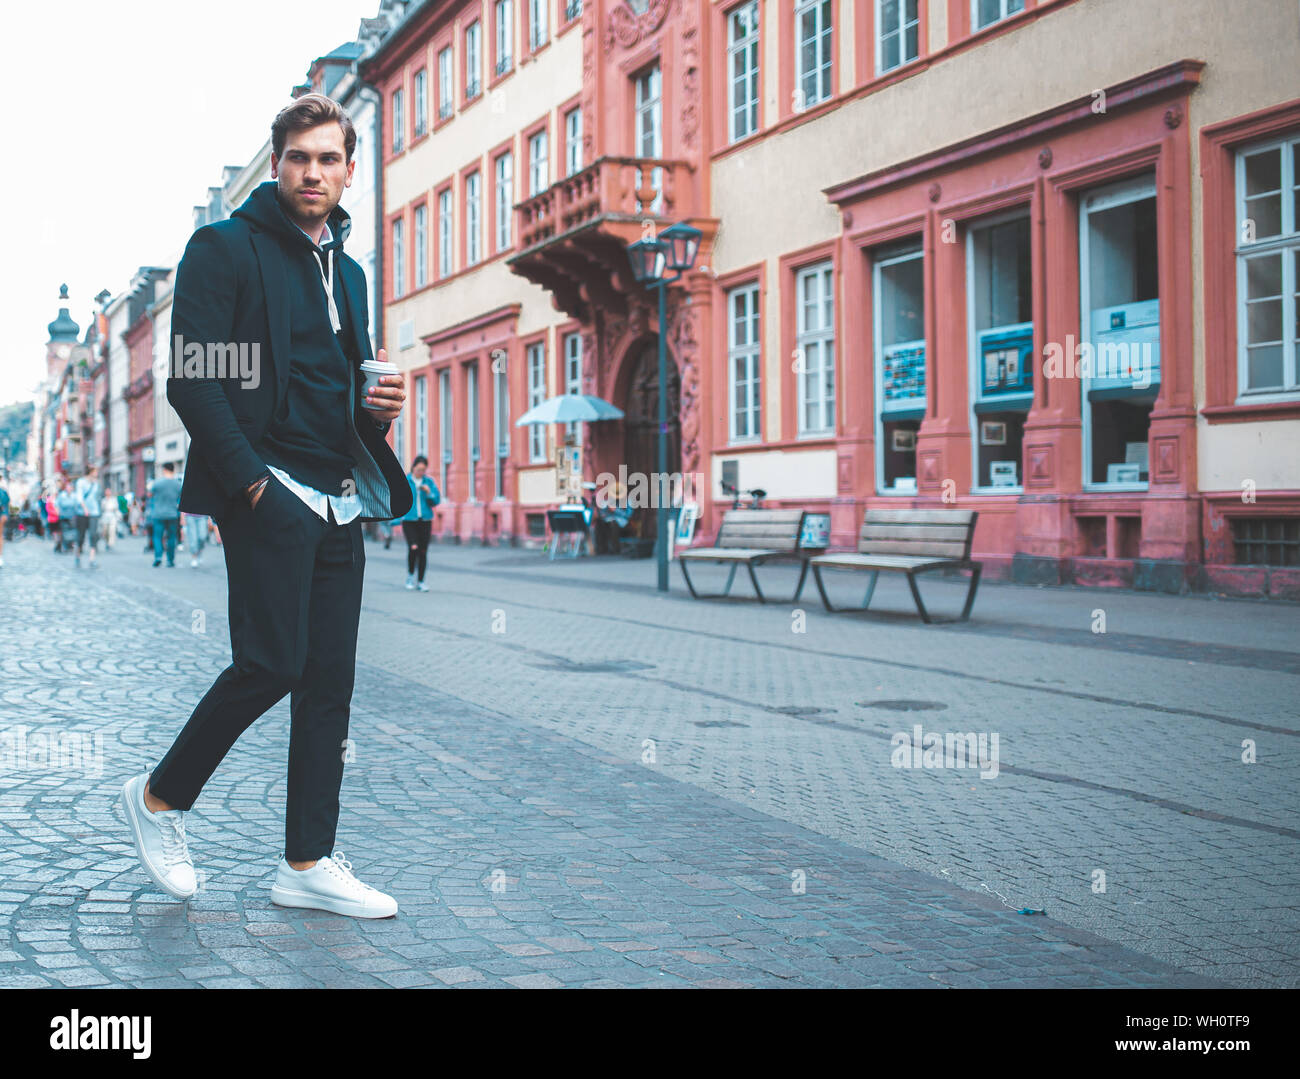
309, 436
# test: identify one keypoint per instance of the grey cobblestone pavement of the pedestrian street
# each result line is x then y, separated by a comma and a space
567, 779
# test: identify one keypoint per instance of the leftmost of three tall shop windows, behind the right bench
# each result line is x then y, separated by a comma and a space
900, 336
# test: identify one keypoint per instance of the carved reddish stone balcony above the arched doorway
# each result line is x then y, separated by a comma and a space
574, 236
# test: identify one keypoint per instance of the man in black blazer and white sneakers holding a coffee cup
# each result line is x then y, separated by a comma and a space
289, 462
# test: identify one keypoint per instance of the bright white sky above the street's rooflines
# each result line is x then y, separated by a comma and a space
123, 115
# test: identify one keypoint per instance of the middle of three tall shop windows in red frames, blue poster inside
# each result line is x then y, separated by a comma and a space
1002, 336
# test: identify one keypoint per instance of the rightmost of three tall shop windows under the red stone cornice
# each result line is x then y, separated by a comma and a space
1120, 352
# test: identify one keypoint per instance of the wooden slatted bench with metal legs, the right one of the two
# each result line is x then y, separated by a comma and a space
912, 543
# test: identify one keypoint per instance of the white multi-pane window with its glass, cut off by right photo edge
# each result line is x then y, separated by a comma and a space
1268, 268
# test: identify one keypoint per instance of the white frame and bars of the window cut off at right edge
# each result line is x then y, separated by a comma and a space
1284, 245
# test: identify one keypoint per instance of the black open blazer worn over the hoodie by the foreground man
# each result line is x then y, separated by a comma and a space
231, 292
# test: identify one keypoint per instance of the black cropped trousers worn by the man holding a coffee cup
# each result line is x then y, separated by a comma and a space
296, 603
